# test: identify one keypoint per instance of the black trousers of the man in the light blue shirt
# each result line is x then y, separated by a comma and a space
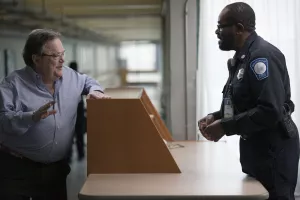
24, 179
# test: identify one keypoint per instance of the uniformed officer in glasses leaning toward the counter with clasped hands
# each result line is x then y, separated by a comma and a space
256, 104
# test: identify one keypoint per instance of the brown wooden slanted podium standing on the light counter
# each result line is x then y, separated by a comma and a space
125, 134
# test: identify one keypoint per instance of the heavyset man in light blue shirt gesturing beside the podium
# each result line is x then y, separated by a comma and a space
38, 106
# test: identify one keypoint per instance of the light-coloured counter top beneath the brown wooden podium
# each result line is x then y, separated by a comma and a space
208, 170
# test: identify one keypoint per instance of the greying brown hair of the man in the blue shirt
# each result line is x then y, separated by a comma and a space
35, 43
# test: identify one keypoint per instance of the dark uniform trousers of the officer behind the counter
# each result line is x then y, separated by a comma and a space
273, 160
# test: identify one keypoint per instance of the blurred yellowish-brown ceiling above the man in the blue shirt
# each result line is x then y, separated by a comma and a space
111, 19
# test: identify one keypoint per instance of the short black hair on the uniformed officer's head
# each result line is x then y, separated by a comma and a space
241, 12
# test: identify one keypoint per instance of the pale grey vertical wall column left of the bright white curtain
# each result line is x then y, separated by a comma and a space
180, 68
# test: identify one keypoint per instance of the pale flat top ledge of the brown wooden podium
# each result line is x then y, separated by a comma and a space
124, 93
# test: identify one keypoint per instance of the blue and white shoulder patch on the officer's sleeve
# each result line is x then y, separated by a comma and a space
260, 68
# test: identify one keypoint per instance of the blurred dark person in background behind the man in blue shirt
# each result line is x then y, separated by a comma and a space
80, 123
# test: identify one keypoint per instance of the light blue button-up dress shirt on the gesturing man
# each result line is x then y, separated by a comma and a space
23, 92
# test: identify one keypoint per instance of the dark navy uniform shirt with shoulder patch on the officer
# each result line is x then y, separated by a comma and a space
259, 87
